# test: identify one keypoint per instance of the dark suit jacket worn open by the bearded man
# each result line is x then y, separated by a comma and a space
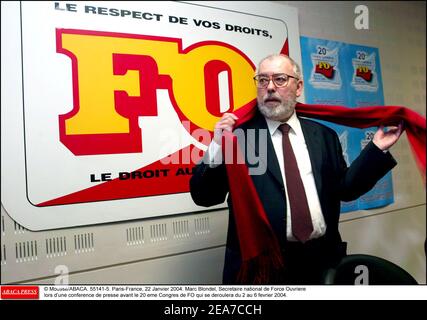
334, 182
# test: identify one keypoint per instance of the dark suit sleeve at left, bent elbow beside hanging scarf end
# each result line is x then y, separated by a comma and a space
208, 186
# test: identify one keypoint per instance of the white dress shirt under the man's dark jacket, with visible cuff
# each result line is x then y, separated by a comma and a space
299, 147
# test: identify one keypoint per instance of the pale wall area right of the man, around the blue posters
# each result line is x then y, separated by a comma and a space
398, 231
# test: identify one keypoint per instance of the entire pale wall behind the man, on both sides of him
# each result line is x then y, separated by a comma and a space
189, 248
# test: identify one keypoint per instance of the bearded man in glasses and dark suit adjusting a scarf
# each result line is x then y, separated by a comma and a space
322, 172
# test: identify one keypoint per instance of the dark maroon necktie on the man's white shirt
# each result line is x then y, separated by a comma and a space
302, 226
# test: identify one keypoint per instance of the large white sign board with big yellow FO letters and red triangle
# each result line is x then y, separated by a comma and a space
110, 104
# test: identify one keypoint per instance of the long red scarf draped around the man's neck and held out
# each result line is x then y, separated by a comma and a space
261, 256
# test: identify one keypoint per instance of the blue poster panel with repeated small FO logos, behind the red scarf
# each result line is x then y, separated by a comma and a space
338, 73
